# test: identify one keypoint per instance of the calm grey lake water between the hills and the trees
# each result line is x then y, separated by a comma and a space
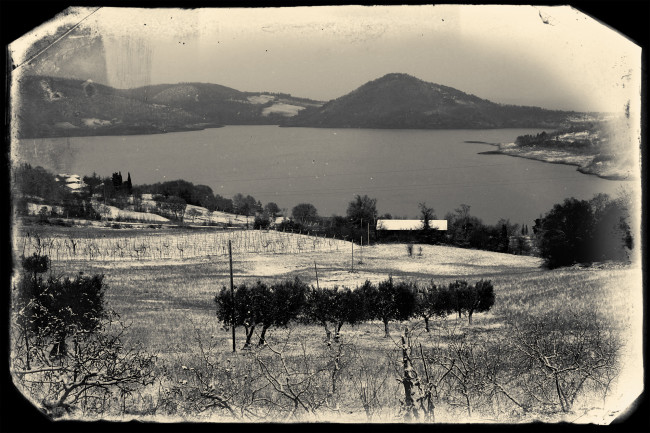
327, 167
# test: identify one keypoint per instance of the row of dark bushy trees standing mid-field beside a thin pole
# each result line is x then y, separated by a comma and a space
262, 305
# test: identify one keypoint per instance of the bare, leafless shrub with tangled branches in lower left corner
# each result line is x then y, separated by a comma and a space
87, 378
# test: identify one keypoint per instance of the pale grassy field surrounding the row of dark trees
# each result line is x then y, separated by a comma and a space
168, 304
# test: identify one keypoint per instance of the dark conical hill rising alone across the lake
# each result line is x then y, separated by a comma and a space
402, 101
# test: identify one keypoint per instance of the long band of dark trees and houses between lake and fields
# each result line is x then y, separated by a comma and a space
575, 231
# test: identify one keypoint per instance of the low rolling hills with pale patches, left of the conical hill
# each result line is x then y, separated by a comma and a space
52, 107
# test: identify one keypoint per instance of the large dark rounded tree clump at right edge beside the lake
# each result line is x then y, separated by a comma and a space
581, 231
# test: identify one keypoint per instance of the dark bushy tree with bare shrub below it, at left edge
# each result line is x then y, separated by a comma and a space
68, 346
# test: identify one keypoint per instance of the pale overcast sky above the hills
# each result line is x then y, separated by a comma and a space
554, 57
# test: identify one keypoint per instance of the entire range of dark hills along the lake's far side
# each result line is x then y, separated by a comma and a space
52, 106
